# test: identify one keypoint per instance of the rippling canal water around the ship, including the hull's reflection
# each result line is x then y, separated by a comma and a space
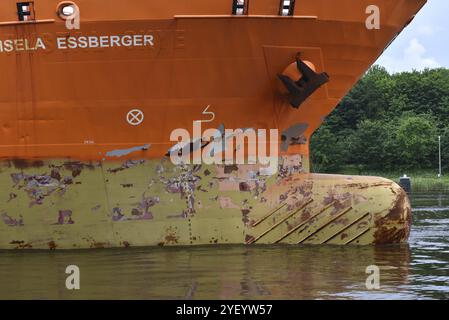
419, 270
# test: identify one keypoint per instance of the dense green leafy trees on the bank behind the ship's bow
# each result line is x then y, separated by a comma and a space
387, 122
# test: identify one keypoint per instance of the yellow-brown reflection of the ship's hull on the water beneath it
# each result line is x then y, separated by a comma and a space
202, 273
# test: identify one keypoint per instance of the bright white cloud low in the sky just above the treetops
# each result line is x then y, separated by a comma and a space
414, 57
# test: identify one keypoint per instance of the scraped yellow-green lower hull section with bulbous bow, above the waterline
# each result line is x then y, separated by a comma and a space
74, 205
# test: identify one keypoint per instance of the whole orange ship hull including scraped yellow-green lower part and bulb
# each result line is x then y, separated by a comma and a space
70, 142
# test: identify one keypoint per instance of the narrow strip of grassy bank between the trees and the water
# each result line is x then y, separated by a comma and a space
422, 181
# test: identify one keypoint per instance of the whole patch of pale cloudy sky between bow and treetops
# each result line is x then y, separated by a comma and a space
424, 43
